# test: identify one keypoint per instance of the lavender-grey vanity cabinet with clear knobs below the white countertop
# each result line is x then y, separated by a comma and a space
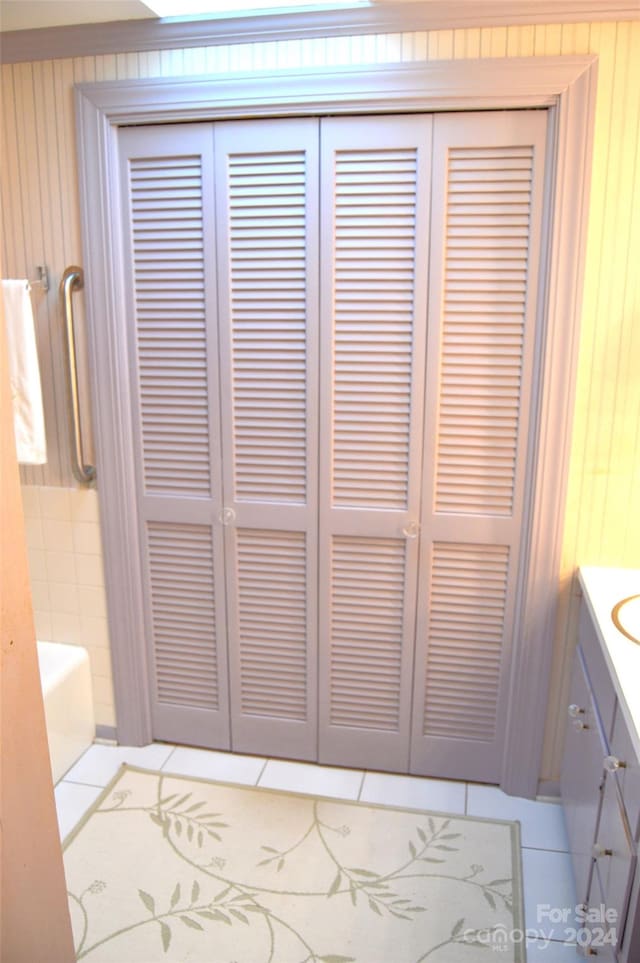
600, 786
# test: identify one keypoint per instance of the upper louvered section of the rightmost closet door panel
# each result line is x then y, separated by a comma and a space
483, 328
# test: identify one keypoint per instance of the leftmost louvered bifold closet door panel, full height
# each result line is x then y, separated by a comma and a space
166, 174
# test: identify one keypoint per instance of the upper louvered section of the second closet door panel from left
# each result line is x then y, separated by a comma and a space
267, 226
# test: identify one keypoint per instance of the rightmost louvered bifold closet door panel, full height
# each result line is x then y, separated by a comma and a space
488, 183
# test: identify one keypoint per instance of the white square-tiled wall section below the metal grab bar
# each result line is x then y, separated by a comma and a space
67, 581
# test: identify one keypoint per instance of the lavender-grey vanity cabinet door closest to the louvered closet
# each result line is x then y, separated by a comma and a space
581, 777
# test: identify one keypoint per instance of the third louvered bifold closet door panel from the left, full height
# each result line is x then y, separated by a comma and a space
374, 237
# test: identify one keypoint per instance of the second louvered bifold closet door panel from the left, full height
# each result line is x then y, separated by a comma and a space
267, 210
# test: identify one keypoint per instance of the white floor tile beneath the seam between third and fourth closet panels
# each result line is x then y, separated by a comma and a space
413, 792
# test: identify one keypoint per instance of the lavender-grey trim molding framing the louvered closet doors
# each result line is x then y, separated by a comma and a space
567, 85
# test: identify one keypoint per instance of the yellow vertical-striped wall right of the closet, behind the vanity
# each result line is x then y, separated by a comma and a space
602, 524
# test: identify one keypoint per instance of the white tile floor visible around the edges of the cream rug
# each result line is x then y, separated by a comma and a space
546, 866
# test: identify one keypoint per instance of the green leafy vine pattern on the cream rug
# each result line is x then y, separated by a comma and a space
185, 822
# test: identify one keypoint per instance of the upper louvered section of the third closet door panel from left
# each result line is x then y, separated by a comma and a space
374, 239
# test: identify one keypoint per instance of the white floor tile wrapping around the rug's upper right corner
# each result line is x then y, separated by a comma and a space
542, 824
